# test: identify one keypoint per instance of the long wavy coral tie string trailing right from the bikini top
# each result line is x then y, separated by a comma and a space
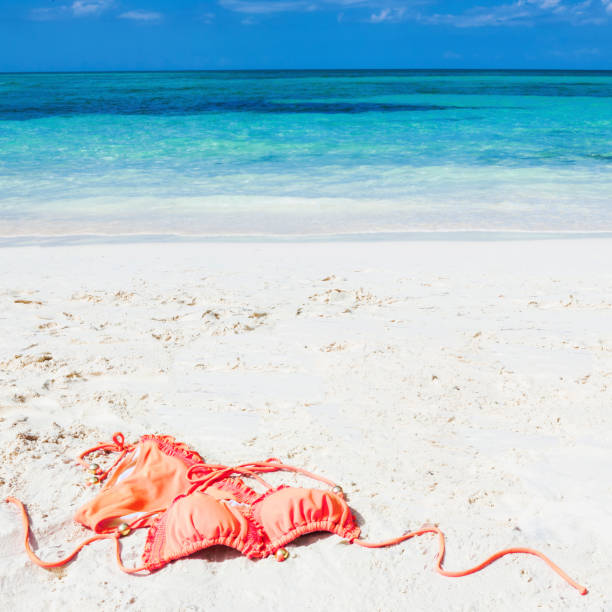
442, 549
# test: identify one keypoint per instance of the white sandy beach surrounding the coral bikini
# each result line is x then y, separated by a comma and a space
467, 384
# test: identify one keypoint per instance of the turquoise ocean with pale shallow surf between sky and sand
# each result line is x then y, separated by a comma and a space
305, 154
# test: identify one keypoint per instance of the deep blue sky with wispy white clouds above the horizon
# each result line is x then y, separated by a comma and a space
234, 34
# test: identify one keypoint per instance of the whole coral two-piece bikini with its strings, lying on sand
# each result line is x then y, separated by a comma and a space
188, 505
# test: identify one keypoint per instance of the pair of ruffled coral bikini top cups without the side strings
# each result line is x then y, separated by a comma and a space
232, 514
